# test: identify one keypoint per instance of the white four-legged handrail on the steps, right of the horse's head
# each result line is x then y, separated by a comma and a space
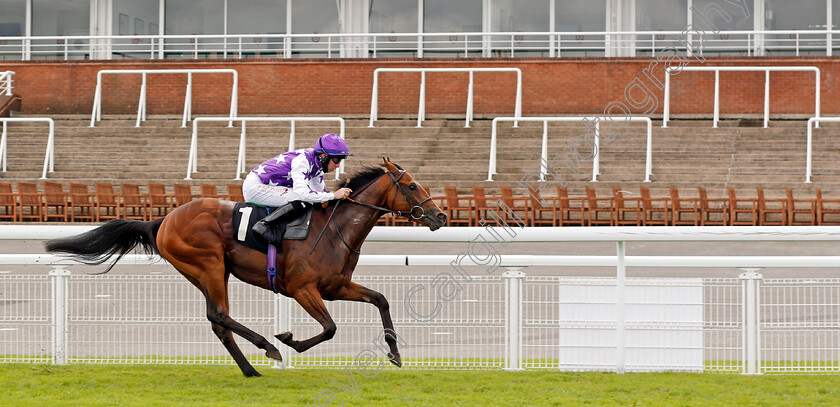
491, 170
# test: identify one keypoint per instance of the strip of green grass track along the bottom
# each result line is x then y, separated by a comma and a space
194, 385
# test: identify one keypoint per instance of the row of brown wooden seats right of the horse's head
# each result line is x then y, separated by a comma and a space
647, 210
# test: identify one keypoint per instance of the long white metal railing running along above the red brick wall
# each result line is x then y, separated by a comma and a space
420, 45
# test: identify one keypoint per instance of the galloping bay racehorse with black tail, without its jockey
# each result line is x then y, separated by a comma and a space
198, 239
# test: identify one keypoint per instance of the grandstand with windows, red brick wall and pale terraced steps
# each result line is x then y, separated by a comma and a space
577, 62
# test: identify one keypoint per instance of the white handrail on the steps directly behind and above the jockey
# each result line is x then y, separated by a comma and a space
192, 163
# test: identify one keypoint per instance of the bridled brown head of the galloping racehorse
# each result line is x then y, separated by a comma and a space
411, 198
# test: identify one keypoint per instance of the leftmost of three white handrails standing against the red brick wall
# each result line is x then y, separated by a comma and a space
141, 108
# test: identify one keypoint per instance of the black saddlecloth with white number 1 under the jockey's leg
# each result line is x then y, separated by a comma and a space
245, 215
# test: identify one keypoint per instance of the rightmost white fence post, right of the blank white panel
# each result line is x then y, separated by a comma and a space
750, 282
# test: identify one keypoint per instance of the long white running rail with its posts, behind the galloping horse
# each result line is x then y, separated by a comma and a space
513, 278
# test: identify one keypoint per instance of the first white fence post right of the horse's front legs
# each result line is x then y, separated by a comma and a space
513, 319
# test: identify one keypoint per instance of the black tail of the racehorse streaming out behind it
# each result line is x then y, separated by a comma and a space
116, 237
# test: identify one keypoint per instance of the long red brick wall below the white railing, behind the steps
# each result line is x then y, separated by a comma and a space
550, 86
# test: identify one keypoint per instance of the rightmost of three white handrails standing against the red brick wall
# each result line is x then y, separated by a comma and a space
766, 69
